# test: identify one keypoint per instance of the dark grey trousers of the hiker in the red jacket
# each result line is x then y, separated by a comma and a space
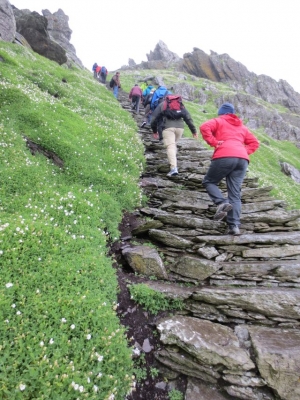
233, 169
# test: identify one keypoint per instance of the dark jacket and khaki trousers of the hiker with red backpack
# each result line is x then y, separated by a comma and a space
172, 131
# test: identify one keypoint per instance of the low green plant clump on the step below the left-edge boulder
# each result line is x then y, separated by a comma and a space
152, 300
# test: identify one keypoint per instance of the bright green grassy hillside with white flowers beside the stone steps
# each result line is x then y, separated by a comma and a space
60, 337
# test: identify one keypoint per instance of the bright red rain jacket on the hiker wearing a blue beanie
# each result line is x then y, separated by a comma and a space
229, 136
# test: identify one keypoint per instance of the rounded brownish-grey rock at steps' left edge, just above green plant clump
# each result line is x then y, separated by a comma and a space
145, 261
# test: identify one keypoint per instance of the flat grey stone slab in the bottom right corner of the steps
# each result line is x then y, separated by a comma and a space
278, 365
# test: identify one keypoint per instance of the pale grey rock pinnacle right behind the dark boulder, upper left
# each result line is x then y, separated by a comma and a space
59, 31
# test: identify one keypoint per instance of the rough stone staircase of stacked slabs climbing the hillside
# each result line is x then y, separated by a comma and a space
238, 335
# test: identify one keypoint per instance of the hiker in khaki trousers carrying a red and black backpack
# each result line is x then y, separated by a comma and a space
172, 127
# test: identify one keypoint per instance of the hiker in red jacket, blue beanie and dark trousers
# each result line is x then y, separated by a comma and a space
233, 143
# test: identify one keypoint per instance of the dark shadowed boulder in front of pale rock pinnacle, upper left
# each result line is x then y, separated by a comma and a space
34, 29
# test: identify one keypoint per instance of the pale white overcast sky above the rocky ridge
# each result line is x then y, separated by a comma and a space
261, 34
